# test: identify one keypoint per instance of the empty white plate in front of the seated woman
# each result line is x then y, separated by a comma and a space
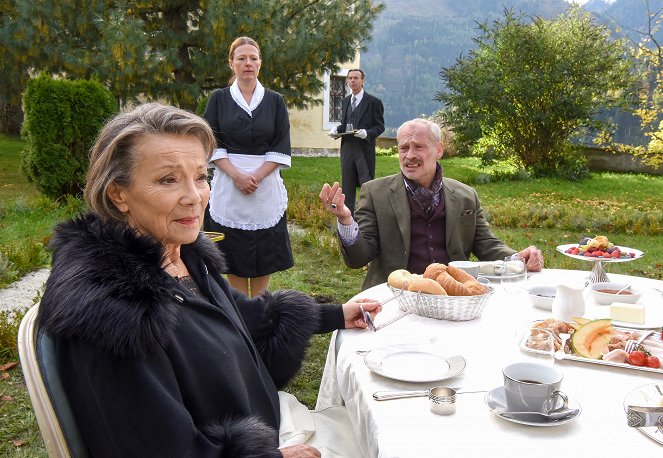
413, 363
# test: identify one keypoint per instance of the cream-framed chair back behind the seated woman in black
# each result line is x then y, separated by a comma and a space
49, 401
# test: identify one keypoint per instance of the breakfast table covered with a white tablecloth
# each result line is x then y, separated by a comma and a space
407, 428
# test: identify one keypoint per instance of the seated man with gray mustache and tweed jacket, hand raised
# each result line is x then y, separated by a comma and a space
416, 217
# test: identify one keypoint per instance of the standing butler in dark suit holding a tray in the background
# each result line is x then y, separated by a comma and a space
366, 115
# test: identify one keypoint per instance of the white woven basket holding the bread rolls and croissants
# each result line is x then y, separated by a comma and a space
454, 308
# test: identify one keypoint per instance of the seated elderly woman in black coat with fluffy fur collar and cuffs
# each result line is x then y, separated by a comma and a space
159, 357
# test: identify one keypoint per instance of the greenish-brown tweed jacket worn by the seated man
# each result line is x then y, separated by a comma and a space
383, 216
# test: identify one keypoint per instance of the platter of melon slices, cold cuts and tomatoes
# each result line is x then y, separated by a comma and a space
599, 342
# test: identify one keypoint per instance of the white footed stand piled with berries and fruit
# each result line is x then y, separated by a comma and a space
599, 250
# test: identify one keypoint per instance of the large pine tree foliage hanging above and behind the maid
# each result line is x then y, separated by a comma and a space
177, 49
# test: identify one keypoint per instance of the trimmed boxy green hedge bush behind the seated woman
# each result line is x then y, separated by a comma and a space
62, 120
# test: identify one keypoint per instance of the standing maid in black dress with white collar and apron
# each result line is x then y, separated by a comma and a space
248, 201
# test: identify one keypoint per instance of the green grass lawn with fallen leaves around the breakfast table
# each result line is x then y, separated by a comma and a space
546, 212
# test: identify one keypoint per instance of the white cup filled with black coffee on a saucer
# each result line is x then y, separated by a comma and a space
533, 387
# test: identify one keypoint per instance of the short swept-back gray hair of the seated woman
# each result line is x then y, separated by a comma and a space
113, 156
